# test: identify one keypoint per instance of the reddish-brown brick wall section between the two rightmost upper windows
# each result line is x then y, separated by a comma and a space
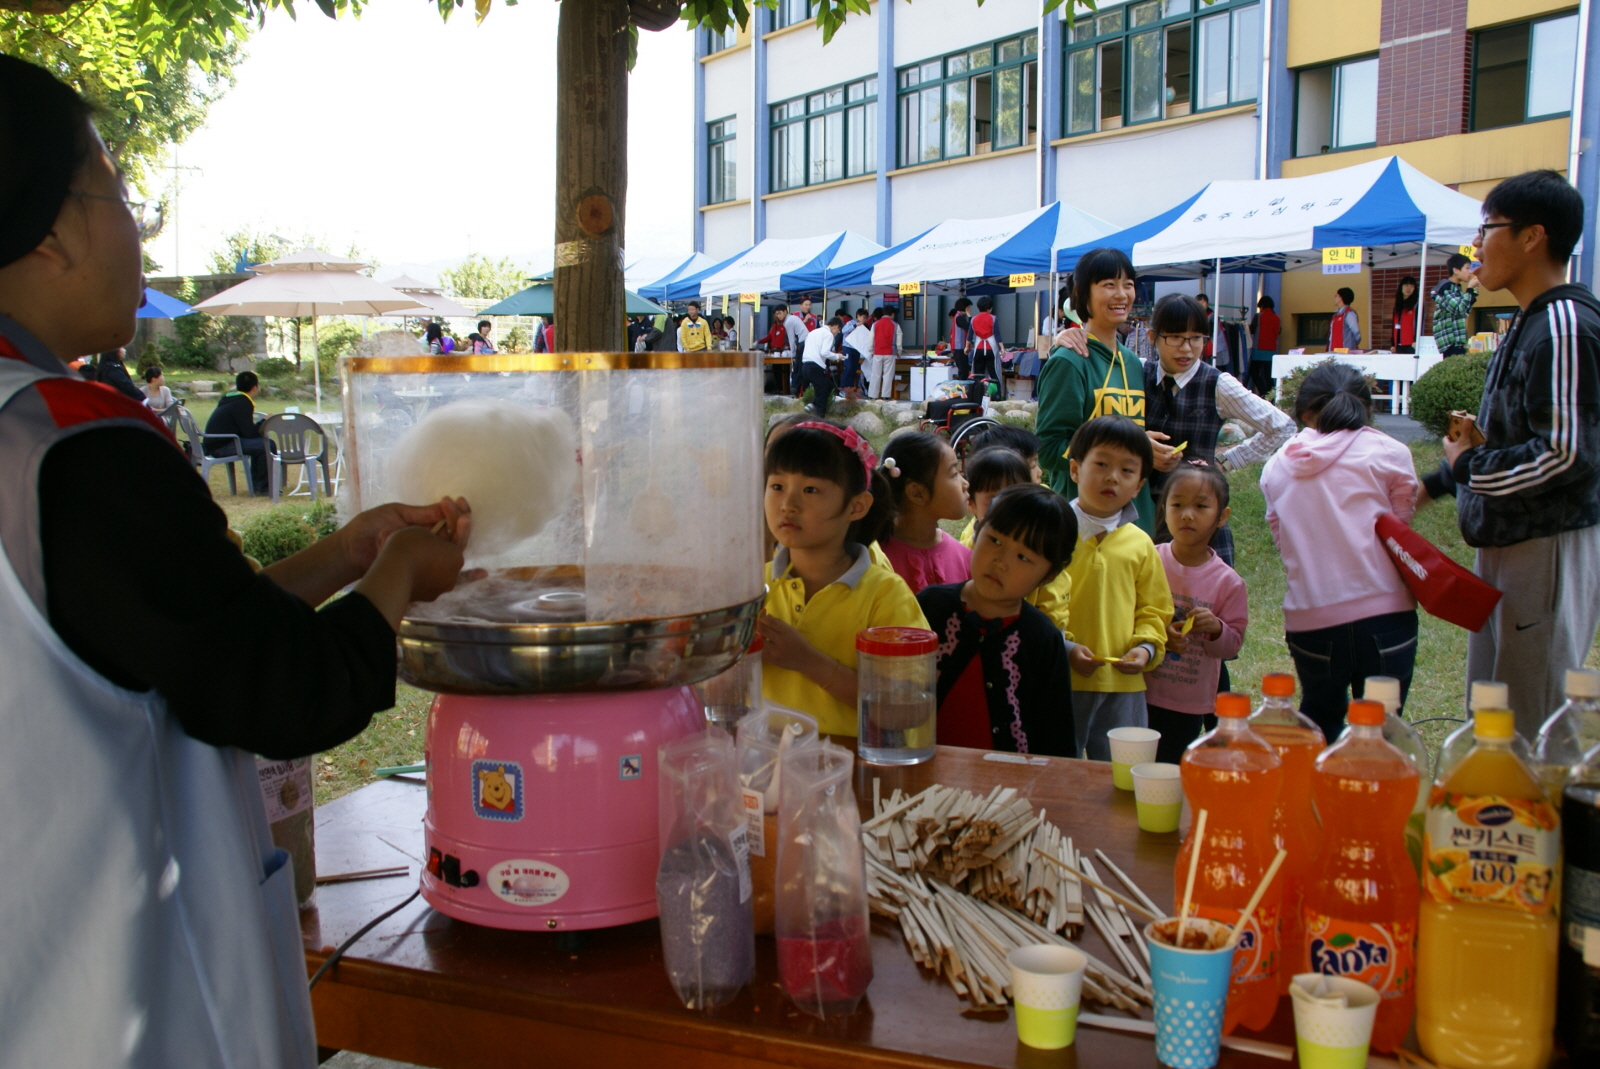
1423, 84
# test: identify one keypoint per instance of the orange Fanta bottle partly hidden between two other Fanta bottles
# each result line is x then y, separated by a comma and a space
1295, 827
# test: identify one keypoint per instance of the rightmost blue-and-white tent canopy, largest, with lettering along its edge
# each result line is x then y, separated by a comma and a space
1377, 204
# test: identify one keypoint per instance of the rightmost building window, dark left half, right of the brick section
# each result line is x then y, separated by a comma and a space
1524, 73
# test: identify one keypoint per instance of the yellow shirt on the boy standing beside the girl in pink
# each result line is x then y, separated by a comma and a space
1119, 599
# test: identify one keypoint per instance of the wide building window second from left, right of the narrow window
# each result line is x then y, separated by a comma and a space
826, 137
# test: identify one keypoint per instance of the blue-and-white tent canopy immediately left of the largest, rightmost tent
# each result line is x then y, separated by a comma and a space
983, 249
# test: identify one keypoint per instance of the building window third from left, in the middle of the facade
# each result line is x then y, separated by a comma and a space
980, 100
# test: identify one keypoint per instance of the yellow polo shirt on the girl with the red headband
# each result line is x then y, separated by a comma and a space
863, 598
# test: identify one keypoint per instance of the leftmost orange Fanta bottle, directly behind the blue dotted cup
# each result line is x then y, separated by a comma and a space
1236, 777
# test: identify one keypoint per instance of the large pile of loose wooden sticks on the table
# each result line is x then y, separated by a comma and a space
970, 878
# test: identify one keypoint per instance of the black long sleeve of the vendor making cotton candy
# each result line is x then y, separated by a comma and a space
145, 585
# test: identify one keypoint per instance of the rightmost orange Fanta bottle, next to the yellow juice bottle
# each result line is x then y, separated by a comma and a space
1361, 908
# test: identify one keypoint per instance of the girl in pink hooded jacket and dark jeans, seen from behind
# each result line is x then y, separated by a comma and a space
1346, 614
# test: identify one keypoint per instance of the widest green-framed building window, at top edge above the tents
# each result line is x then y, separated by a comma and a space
1159, 60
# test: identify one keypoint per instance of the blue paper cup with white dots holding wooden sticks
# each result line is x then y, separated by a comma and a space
1191, 995
